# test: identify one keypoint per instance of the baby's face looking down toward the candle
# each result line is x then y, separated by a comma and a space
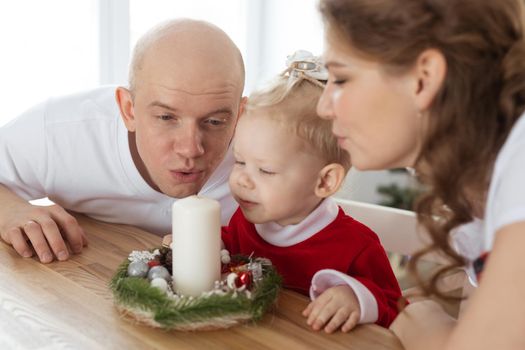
274, 176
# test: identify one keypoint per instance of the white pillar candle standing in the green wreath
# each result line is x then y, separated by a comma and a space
196, 229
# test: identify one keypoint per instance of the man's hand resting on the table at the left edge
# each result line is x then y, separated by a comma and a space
49, 230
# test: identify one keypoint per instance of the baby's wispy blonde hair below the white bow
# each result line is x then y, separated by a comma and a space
292, 101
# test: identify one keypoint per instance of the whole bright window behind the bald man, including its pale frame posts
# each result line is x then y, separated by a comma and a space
55, 47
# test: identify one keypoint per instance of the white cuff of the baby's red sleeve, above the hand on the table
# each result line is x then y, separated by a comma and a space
327, 278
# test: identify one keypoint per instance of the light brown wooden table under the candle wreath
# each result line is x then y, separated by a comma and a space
67, 305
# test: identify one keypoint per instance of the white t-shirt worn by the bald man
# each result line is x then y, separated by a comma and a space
74, 150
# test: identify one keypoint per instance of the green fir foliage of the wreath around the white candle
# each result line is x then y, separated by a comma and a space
170, 313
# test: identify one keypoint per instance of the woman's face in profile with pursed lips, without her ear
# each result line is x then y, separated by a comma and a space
374, 114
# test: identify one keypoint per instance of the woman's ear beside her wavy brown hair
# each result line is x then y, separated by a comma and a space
430, 72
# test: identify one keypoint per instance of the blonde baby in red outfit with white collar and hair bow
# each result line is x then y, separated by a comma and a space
288, 164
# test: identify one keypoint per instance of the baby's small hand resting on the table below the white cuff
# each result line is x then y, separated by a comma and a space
336, 306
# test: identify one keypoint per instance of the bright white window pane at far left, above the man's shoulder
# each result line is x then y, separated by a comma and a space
48, 47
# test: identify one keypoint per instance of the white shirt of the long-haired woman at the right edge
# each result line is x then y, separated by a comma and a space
505, 200
